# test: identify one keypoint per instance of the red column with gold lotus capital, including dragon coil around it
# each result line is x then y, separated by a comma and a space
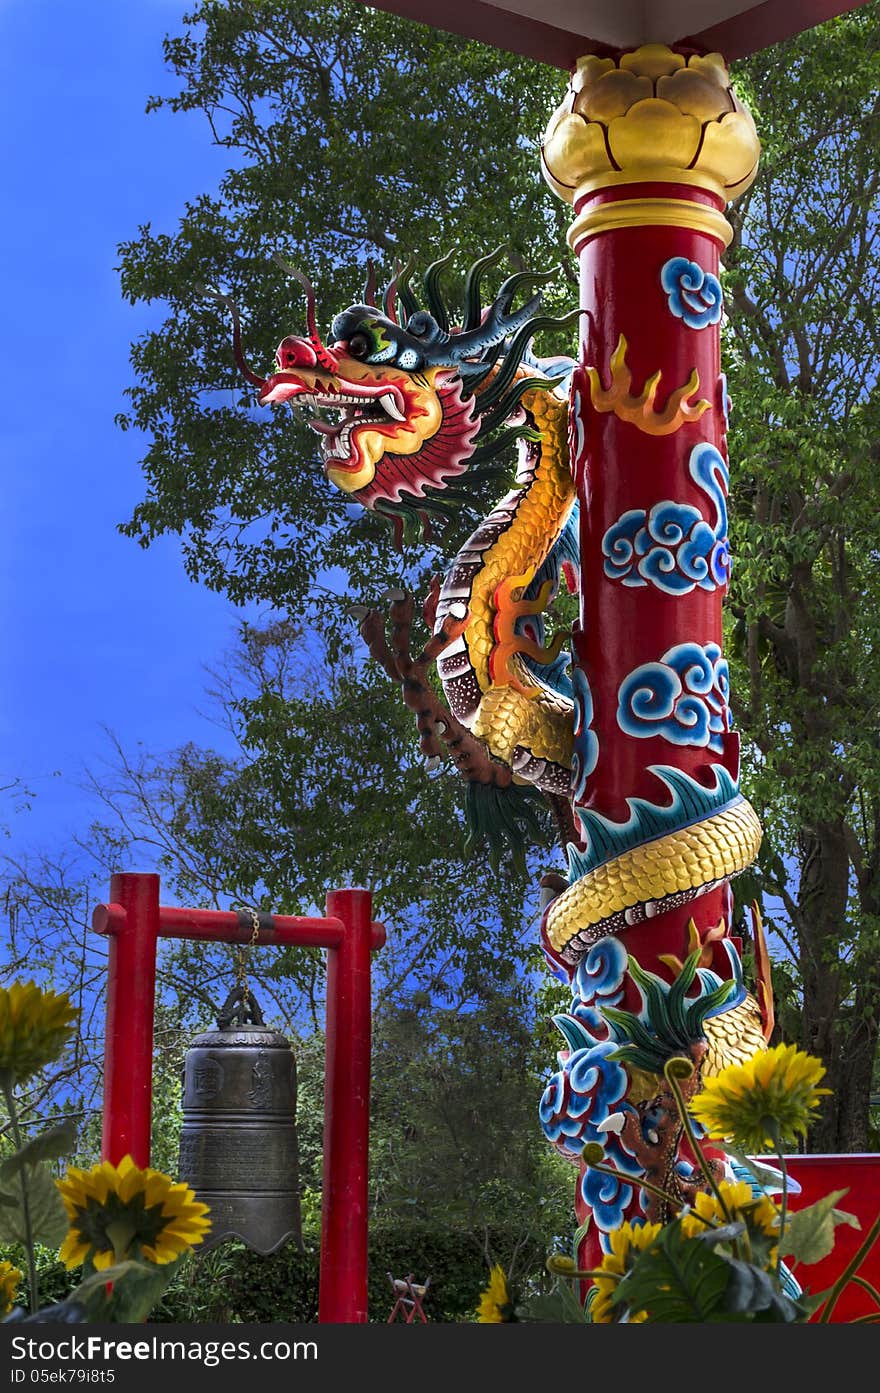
650, 147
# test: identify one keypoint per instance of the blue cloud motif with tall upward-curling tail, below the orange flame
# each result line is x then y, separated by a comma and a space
673, 547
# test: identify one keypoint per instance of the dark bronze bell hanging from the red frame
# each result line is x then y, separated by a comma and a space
239, 1142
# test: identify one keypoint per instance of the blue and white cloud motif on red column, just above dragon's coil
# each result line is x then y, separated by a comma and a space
684, 699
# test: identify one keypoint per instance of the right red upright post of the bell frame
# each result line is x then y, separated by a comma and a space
347, 1100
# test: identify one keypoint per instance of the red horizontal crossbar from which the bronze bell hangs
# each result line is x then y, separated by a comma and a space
230, 927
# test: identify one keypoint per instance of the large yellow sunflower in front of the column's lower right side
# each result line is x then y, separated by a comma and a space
771, 1097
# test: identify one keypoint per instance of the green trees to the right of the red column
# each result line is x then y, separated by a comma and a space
803, 352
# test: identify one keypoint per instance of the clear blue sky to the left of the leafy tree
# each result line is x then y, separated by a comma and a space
97, 632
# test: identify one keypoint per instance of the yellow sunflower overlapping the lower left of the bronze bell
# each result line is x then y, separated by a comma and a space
122, 1211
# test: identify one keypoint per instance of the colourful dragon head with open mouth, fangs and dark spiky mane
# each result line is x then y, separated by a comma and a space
403, 402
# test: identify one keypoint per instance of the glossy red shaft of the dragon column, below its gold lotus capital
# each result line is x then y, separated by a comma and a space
643, 484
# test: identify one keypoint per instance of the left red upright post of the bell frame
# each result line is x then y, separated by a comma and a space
132, 990
